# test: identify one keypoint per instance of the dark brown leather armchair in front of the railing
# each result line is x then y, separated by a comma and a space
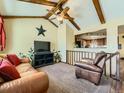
91, 71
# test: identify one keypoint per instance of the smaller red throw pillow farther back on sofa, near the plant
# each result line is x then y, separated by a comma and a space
13, 59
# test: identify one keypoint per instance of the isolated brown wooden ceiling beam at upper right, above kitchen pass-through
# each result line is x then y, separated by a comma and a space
99, 11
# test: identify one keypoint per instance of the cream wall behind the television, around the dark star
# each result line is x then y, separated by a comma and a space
22, 32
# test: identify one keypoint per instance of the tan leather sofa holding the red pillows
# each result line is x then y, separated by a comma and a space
31, 81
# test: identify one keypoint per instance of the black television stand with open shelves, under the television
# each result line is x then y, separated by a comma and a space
42, 59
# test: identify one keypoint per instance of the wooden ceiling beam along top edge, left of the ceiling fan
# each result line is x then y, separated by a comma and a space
43, 2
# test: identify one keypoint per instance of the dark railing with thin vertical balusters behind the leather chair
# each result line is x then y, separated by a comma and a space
112, 64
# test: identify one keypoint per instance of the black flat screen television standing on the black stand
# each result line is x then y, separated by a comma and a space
41, 46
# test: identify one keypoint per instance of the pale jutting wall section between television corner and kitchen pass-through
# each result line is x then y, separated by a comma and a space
65, 40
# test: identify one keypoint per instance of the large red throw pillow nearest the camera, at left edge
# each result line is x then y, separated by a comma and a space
8, 71
